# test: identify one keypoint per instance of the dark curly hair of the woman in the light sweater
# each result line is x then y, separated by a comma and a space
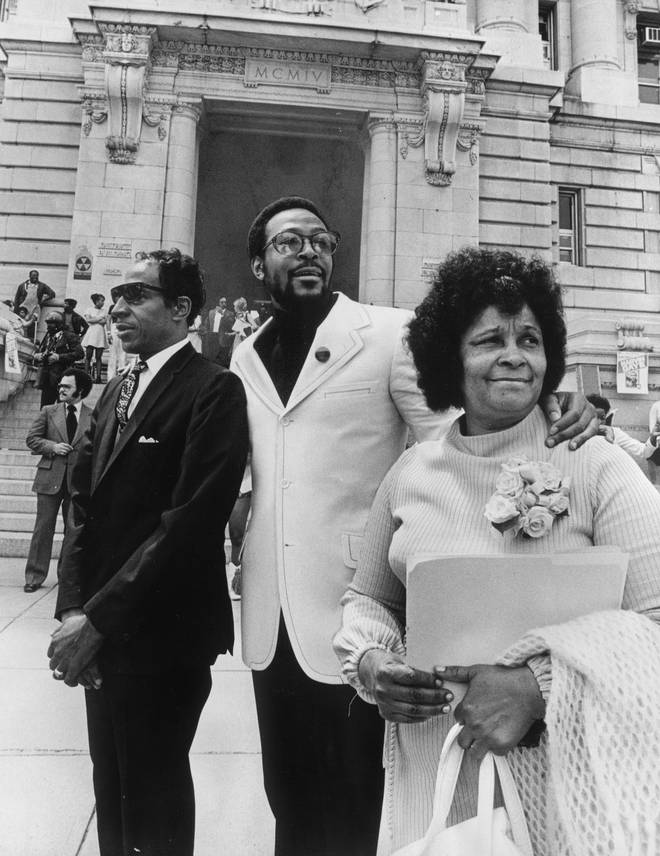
467, 283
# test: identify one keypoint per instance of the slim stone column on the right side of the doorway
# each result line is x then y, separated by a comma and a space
381, 212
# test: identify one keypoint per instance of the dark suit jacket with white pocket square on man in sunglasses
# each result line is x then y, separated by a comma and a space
144, 555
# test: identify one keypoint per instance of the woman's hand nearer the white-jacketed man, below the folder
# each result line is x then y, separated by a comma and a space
403, 694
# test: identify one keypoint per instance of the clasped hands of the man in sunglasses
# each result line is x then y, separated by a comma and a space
73, 647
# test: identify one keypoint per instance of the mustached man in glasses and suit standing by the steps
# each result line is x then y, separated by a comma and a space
55, 434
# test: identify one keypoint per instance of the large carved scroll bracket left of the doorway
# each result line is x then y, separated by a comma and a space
126, 54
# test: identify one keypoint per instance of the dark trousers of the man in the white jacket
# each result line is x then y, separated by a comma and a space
322, 759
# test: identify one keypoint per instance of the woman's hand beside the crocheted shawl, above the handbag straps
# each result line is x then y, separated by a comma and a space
499, 708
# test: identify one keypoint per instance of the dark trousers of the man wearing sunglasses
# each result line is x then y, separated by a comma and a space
140, 729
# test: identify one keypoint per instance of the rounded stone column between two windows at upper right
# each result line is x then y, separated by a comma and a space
596, 74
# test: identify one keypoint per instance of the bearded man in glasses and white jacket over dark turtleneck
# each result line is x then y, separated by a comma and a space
332, 396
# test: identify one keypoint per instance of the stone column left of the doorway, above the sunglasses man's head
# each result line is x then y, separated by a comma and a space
181, 179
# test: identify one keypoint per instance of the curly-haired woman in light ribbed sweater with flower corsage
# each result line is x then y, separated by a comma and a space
490, 338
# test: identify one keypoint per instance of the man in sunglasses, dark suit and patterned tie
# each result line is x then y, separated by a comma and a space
143, 595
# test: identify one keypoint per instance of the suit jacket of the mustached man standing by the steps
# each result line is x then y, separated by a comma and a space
48, 429
